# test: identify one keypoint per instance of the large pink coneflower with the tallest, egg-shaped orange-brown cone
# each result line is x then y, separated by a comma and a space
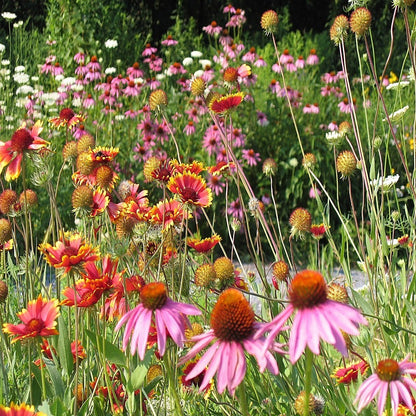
232, 332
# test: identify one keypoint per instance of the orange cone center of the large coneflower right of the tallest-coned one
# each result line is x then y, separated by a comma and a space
308, 289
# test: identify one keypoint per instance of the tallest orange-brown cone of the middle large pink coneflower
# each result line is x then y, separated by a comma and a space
232, 318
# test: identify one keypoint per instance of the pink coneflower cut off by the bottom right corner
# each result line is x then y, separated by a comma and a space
388, 381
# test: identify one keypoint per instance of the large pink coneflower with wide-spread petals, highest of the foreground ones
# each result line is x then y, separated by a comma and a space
316, 317
